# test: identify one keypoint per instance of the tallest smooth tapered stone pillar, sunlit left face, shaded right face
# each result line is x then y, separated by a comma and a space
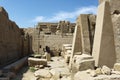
104, 38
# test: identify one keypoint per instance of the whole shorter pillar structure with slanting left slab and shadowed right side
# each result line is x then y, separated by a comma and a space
84, 35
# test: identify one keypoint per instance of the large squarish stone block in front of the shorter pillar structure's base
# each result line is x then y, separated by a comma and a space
83, 62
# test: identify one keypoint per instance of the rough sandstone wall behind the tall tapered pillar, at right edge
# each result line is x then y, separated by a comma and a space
115, 14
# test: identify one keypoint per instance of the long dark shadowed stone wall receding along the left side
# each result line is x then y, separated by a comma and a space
14, 43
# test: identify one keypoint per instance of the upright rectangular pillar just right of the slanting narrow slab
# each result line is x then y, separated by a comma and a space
85, 36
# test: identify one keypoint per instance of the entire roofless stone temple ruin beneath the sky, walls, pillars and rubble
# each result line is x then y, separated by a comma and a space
86, 50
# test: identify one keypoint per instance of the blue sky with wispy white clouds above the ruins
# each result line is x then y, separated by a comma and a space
27, 13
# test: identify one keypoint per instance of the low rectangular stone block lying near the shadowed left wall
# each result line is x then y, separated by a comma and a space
36, 61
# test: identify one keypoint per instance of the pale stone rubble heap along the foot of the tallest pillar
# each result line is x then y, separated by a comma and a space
104, 73
